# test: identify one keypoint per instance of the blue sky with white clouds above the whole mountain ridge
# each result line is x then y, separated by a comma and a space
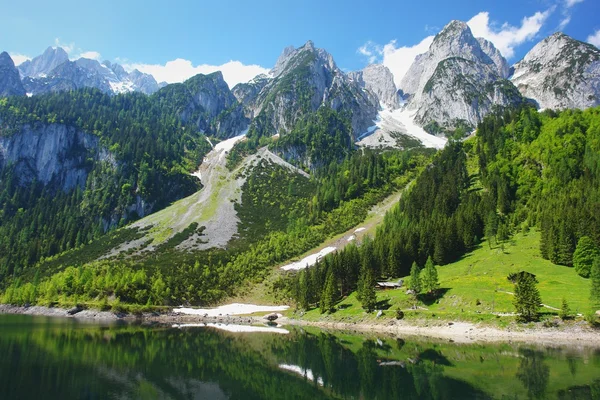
205, 35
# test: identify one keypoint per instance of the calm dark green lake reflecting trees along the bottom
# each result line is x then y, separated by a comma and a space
45, 358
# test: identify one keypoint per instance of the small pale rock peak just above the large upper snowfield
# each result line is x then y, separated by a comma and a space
378, 79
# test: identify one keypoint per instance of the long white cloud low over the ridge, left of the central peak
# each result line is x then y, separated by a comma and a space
179, 70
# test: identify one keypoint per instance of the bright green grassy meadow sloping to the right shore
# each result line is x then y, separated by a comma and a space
482, 275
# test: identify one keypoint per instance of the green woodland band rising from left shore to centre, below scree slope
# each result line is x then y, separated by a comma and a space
282, 216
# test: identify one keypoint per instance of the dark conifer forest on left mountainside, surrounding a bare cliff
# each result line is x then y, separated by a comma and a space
154, 153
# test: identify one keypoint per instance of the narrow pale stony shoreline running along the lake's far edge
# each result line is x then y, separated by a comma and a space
453, 331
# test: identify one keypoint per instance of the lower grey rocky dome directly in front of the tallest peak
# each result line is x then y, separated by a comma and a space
460, 93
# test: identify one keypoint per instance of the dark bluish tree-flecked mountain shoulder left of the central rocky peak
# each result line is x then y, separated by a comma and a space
207, 101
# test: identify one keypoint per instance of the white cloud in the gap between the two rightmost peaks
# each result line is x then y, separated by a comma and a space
507, 37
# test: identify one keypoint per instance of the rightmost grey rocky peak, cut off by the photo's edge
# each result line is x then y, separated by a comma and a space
560, 72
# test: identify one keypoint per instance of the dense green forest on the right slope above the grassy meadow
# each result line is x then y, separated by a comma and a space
524, 169
